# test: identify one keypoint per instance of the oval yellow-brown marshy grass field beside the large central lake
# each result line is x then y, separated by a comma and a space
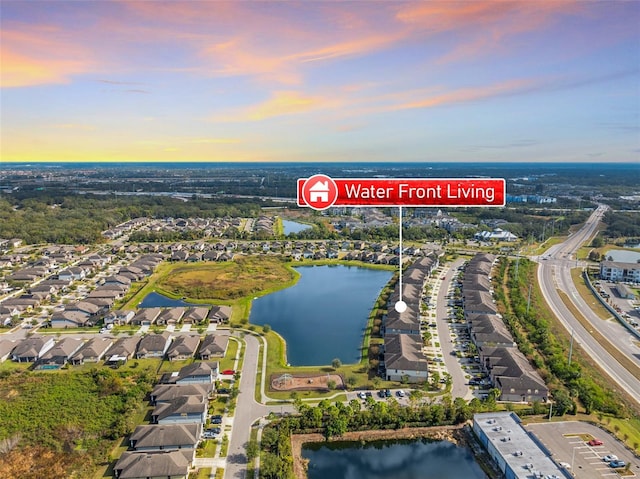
243, 277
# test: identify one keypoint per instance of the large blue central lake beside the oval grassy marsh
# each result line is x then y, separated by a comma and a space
324, 314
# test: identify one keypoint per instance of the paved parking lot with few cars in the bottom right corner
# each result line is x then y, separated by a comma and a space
567, 442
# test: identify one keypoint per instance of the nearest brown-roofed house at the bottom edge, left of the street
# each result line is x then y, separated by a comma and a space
153, 465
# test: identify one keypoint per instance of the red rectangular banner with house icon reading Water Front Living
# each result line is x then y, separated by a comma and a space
321, 192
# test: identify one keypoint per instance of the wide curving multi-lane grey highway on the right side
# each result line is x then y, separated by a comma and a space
554, 273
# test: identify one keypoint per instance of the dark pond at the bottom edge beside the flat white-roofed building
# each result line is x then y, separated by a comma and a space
413, 459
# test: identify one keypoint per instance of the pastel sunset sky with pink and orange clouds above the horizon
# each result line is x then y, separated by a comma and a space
320, 81
